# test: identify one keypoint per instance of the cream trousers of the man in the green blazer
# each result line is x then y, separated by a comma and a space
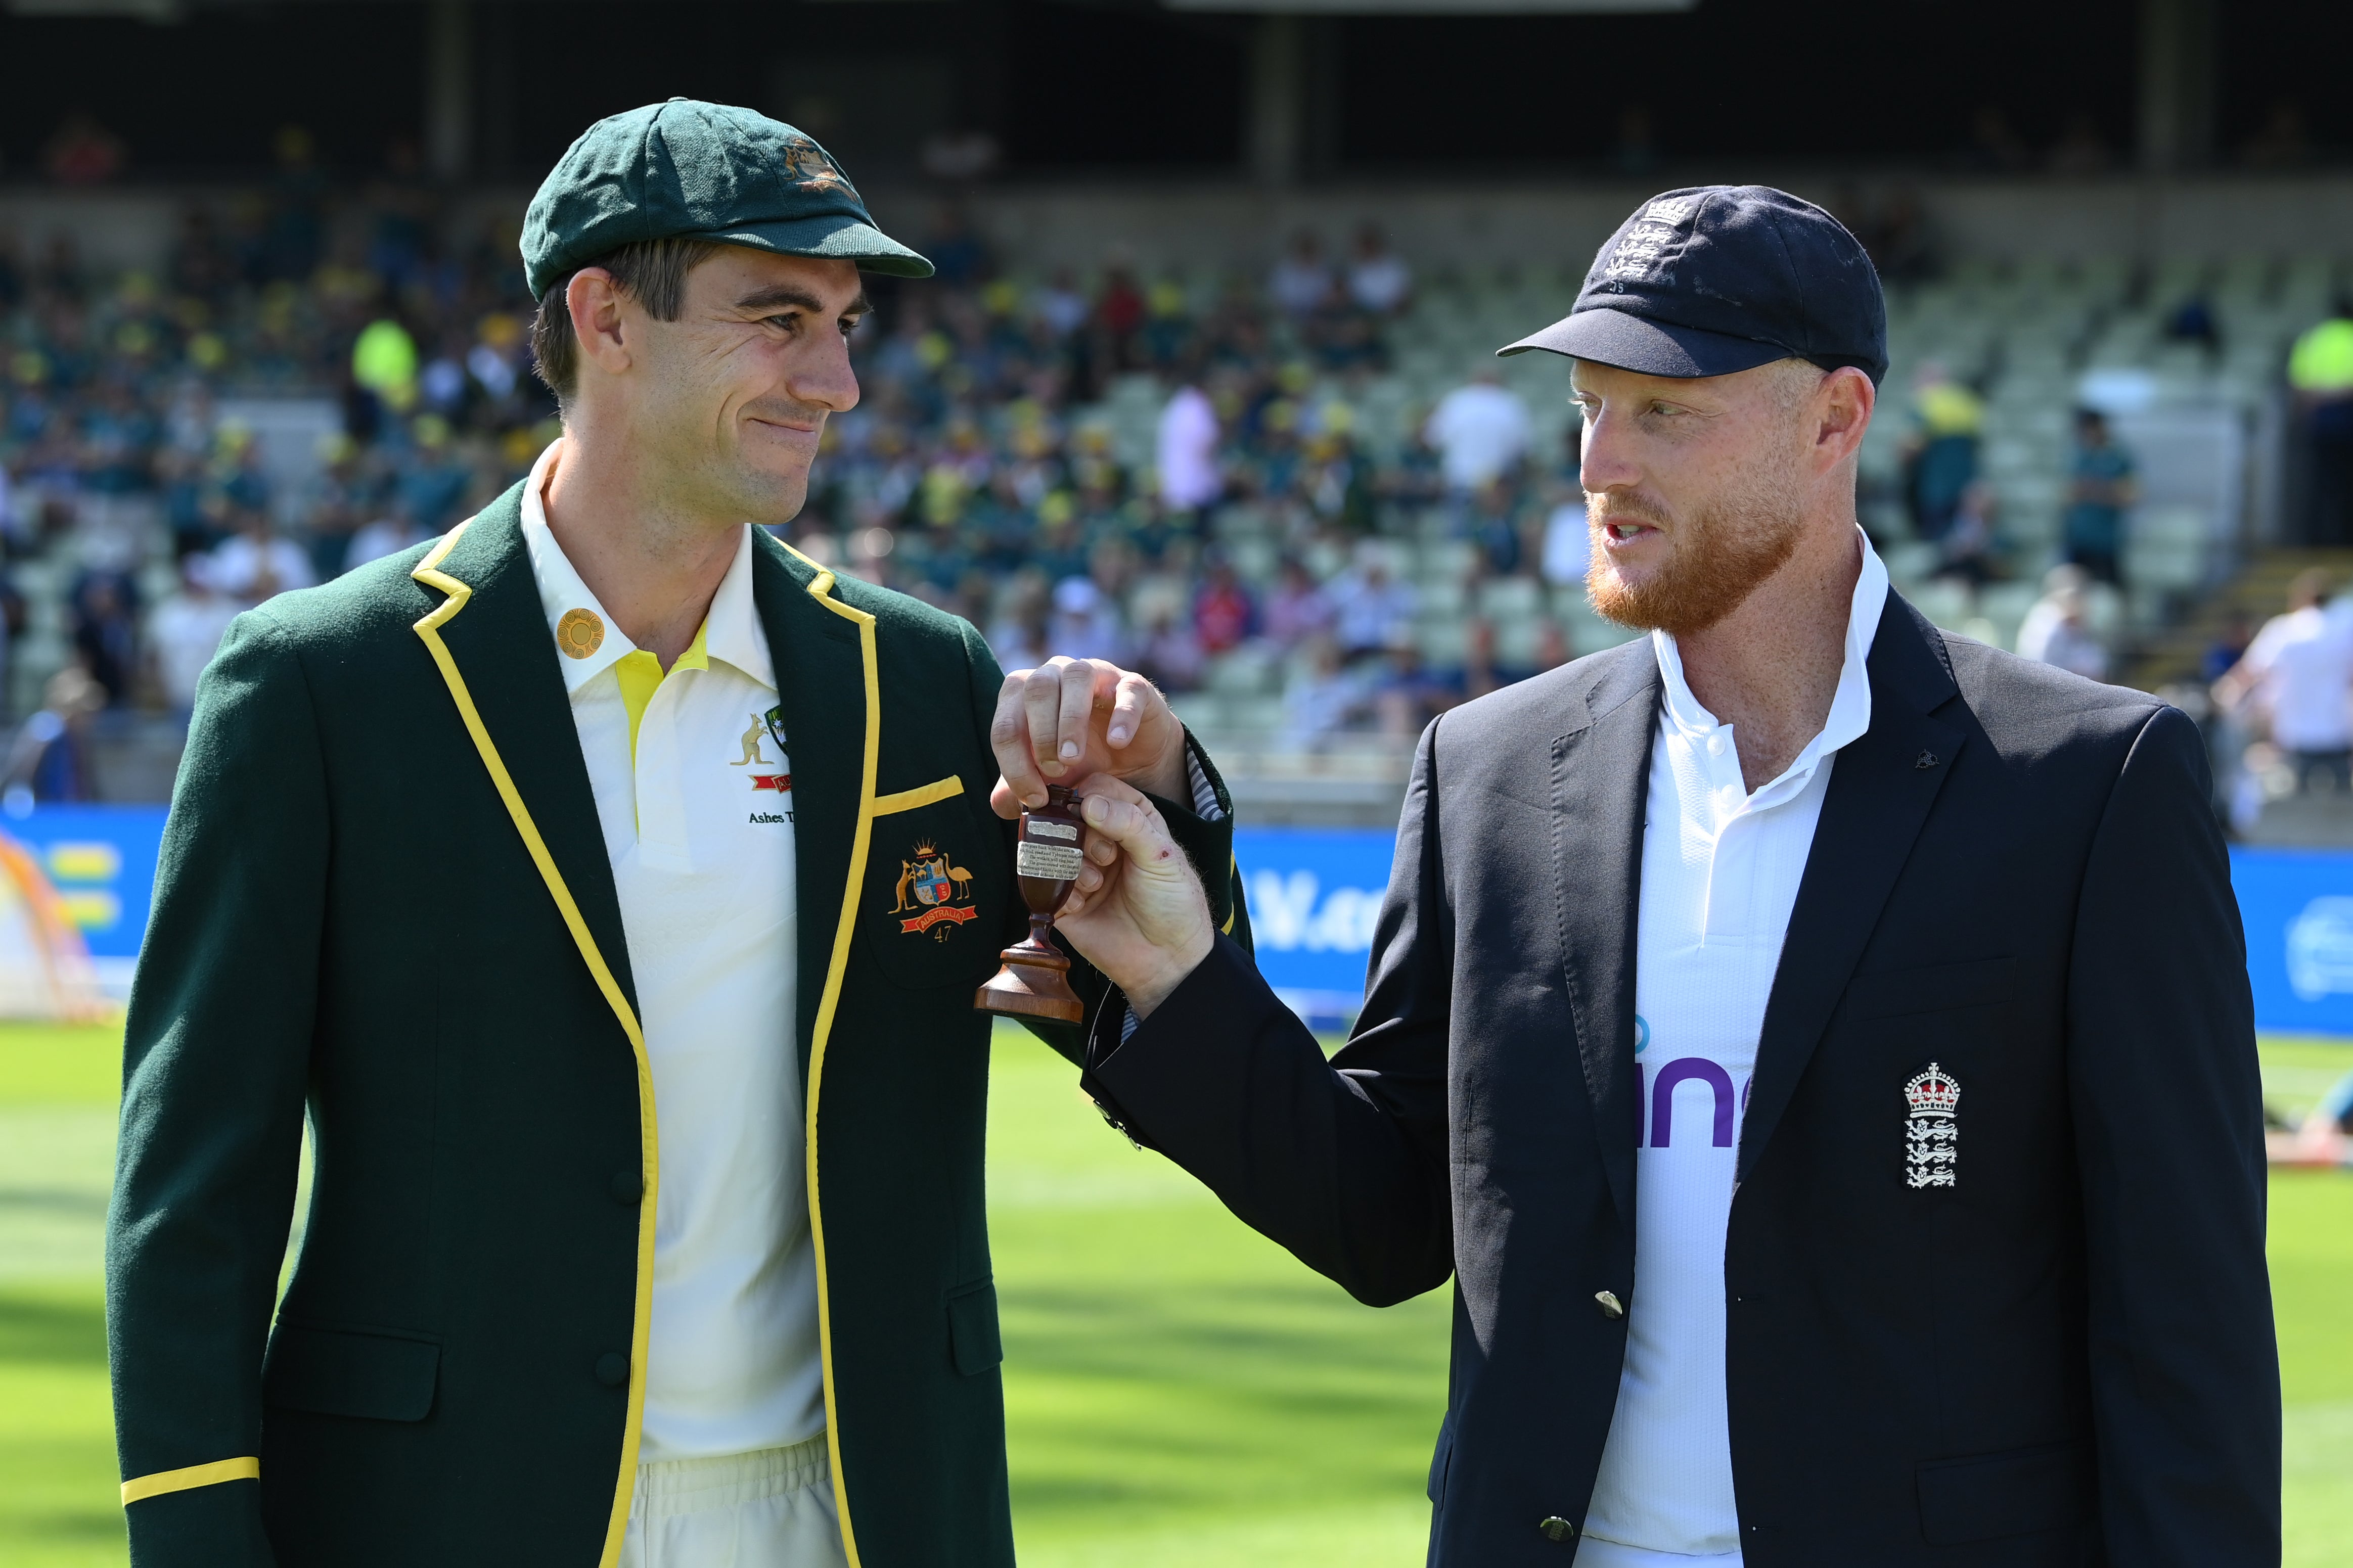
742, 1510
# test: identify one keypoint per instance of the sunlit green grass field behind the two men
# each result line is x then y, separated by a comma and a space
1178, 1391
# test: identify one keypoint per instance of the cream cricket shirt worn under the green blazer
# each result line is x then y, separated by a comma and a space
698, 808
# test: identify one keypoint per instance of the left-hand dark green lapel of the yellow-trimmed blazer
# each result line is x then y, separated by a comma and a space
507, 662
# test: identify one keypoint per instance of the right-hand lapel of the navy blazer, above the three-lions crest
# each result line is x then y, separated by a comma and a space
1881, 791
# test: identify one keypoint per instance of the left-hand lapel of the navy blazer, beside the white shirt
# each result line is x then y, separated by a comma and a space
1601, 782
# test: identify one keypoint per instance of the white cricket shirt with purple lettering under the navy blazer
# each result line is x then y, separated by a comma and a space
1721, 871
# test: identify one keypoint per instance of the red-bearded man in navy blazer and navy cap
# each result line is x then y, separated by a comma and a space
1818, 1047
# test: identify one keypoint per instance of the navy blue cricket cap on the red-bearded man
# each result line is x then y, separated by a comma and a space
1724, 279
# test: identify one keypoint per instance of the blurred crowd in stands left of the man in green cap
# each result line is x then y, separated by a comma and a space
133, 474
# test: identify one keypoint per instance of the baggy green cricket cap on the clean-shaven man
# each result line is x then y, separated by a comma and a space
707, 173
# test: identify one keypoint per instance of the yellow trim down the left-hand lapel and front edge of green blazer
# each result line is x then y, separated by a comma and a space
429, 631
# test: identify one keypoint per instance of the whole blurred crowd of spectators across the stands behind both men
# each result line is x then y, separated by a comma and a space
154, 483
